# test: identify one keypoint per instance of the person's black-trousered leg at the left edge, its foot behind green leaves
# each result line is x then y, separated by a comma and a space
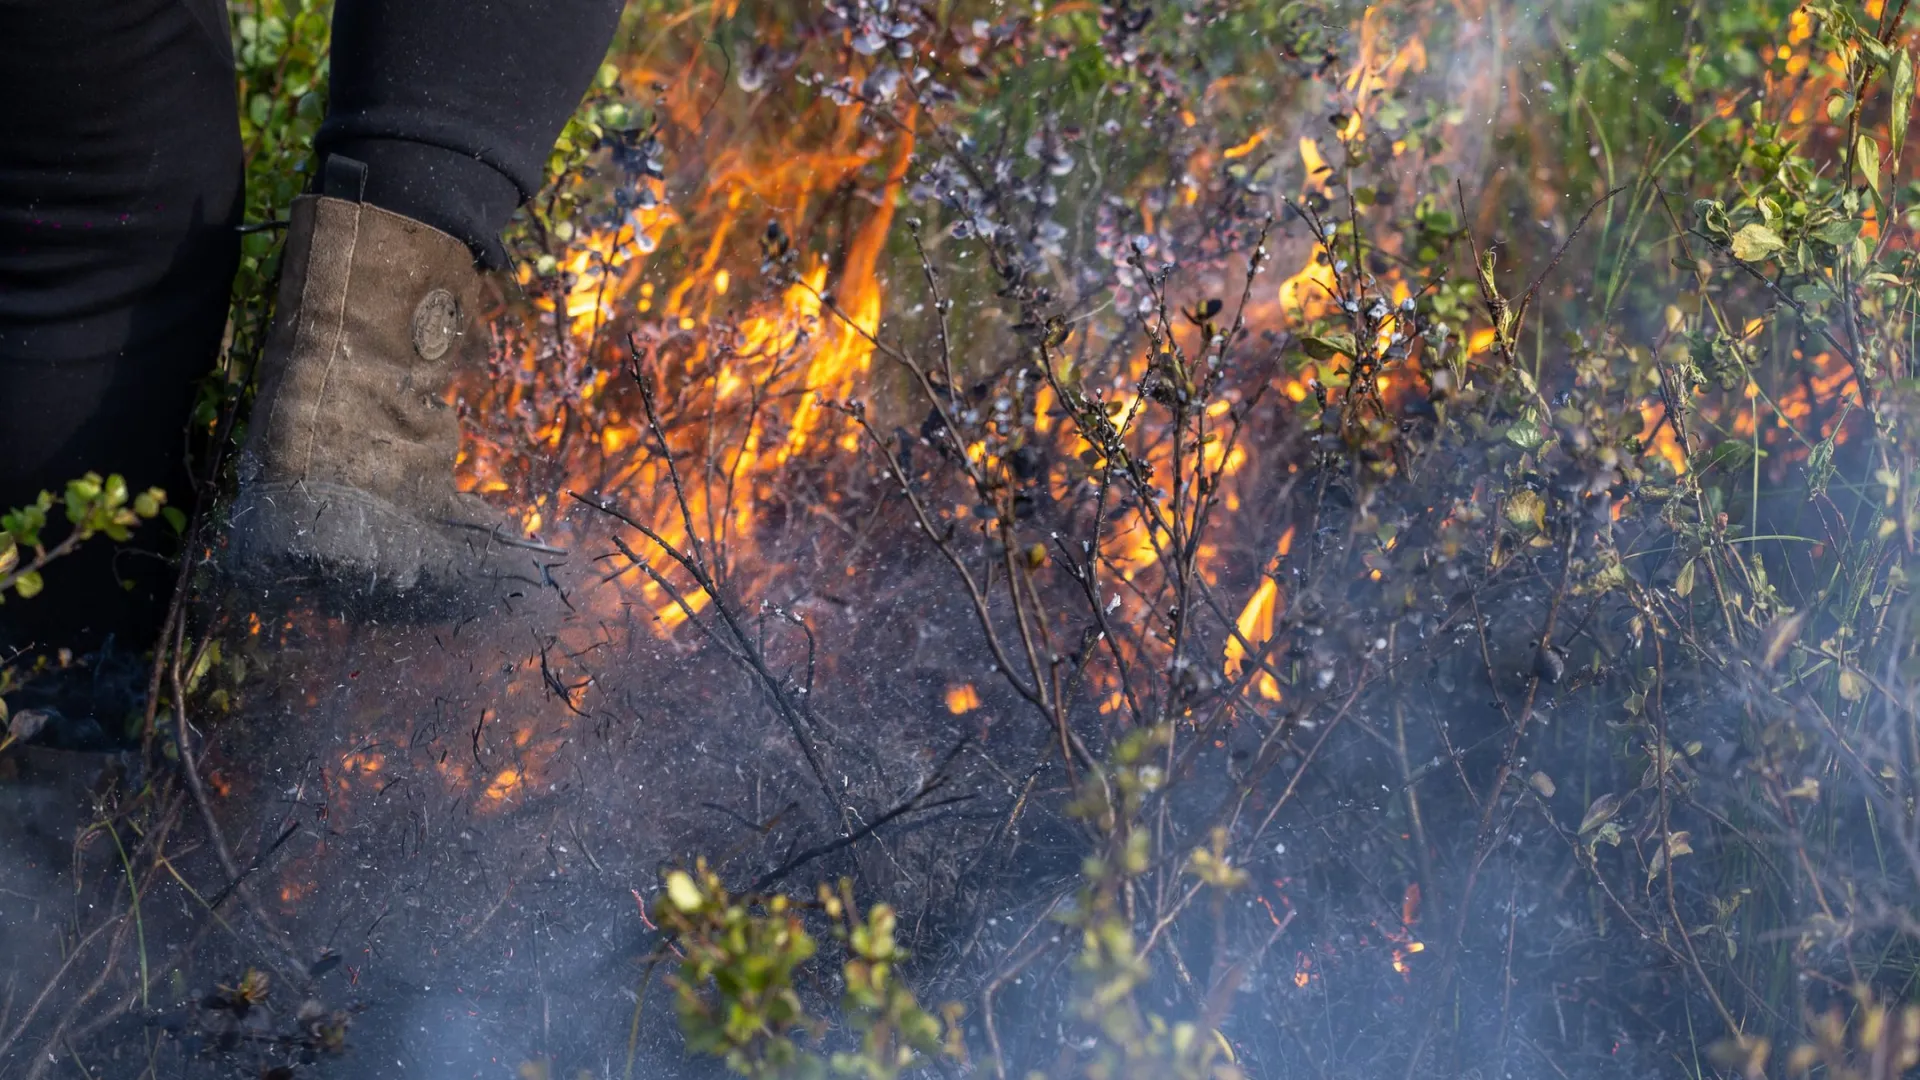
120, 191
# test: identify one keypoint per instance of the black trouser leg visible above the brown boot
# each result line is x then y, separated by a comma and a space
454, 105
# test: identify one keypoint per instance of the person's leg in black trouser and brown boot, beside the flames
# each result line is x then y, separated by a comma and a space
441, 124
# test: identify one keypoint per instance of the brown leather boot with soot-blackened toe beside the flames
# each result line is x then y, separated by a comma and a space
347, 478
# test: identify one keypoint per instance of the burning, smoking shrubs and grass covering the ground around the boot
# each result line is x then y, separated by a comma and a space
1260, 541
